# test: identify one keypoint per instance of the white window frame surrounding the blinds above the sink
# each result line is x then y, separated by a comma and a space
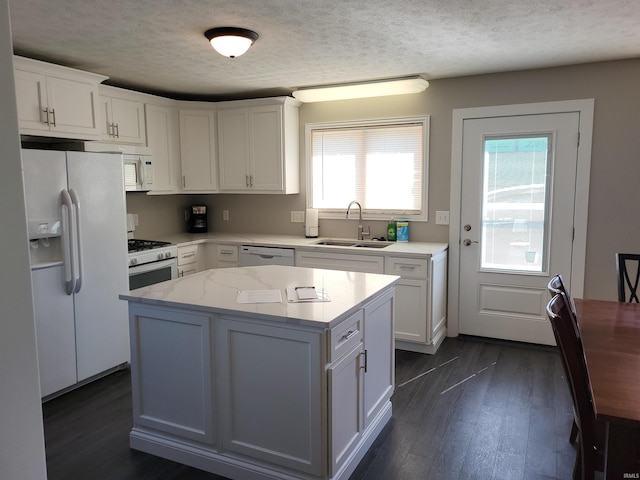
369, 215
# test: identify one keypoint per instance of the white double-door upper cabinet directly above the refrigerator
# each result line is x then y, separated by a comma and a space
56, 101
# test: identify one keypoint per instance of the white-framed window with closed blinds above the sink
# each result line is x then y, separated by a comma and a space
382, 164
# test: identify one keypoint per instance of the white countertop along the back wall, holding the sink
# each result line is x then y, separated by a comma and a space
401, 248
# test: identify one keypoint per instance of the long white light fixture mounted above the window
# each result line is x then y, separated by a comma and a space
380, 88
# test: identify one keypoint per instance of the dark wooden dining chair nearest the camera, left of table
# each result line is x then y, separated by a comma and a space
590, 454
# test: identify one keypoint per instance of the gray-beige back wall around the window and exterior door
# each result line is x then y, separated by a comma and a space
615, 168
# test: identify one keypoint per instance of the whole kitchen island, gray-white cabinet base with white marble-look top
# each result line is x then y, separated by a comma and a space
273, 390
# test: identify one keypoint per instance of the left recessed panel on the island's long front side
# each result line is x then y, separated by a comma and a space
171, 373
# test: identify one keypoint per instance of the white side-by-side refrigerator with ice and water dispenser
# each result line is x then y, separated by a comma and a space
76, 214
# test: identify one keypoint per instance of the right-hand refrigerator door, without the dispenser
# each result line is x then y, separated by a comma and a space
102, 334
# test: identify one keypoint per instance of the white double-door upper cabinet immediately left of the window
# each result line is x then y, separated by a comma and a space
258, 146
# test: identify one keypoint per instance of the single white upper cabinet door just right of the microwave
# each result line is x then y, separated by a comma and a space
164, 139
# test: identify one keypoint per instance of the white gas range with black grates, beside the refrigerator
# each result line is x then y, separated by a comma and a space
150, 262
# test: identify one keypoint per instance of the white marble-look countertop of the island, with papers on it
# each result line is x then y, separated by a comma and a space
216, 291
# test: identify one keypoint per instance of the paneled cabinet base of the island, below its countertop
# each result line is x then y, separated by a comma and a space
248, 398
